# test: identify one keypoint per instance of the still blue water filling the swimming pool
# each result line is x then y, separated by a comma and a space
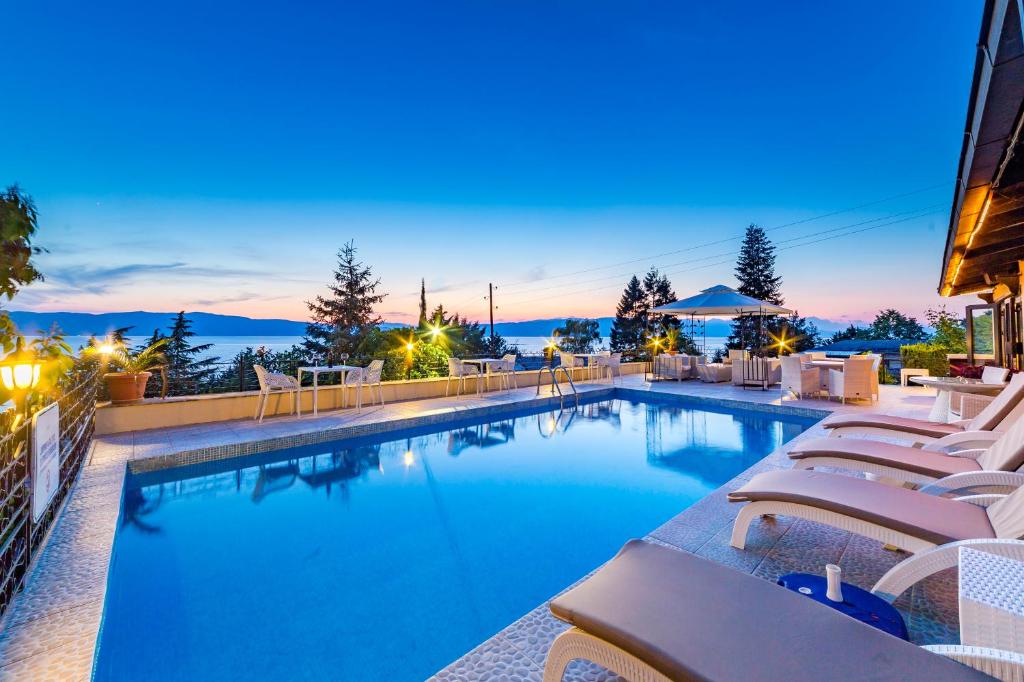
388, 559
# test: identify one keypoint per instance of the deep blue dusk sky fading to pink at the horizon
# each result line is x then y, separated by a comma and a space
216, 156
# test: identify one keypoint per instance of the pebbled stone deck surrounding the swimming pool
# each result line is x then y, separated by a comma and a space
51, 631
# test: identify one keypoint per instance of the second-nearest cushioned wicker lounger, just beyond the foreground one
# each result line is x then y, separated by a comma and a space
913, 521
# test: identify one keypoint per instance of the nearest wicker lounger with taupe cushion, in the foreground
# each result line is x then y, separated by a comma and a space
658, 614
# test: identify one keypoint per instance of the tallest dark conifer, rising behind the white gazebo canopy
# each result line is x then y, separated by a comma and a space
756, 273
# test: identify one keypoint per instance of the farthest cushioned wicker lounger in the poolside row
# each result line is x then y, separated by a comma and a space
920, 431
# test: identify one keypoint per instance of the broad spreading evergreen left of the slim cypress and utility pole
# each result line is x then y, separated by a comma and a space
342, 321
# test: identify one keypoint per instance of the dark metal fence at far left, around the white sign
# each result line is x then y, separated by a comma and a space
20, 536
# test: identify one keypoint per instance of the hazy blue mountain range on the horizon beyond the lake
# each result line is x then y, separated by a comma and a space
209, 324
